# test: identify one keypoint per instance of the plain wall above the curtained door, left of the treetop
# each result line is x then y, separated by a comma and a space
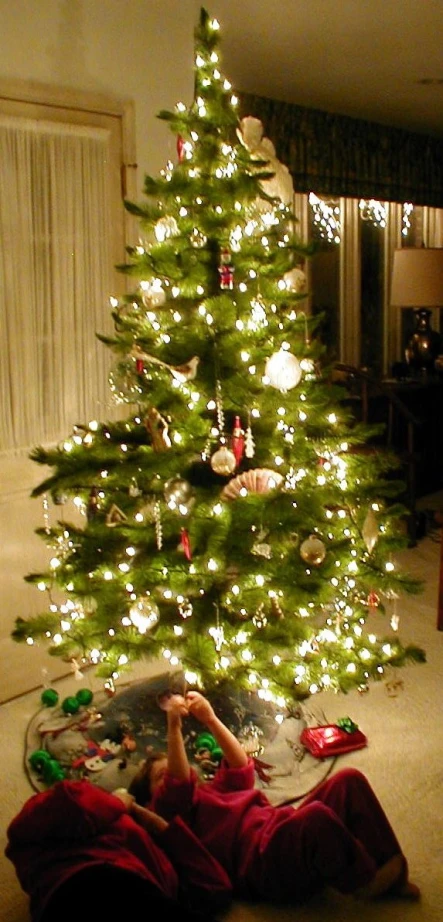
141, 49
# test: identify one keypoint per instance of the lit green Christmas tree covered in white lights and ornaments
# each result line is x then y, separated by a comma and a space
239, 524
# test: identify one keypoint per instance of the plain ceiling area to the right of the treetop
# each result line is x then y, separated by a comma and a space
363, 58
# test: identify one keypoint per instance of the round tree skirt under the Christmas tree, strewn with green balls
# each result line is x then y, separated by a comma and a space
105, 738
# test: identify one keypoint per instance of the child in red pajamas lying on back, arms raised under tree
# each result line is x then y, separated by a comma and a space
339, 836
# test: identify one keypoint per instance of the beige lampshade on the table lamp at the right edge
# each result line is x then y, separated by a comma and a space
417, 277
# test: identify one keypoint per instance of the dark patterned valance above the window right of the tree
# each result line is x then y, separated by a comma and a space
338, 155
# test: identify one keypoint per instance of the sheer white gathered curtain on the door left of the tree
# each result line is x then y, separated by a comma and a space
55, 280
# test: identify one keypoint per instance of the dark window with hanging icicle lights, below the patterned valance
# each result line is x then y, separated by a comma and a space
350, 274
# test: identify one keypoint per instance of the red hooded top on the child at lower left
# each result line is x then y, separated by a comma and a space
75, 824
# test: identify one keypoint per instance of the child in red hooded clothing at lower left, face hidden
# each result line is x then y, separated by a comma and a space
81, 852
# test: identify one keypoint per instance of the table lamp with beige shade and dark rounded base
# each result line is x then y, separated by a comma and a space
417, 281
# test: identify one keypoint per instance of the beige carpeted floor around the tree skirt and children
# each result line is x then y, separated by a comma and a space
403, 761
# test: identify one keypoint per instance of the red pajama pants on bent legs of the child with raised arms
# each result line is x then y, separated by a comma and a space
338, 837
